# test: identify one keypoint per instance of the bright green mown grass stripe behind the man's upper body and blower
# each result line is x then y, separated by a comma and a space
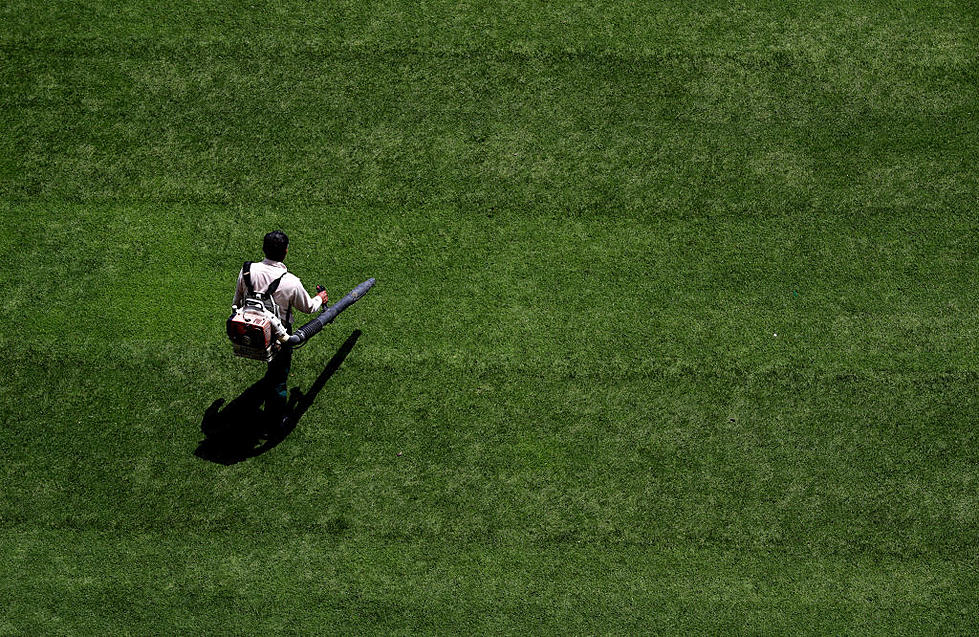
831, 294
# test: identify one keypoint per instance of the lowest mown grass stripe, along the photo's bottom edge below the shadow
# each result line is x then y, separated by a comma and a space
208, 583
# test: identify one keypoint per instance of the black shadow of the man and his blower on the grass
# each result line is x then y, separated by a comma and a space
243, 430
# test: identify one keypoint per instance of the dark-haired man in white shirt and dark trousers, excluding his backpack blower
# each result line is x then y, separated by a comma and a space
289, 294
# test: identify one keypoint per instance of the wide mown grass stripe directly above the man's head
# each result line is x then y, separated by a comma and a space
621, 134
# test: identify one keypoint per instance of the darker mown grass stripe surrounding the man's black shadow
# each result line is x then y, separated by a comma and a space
835, 467
